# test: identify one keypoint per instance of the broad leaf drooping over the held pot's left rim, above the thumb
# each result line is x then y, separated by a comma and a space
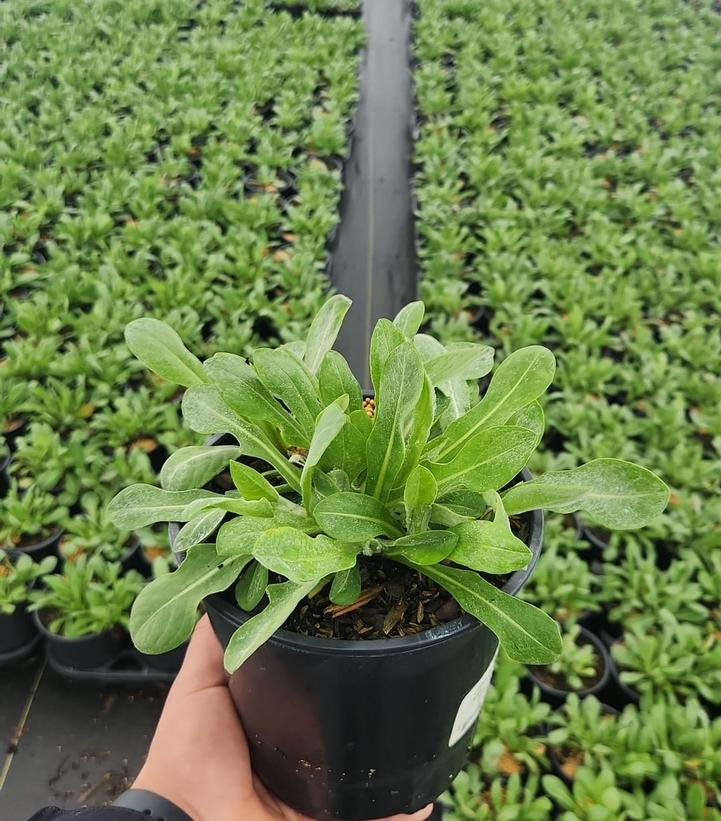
165, 612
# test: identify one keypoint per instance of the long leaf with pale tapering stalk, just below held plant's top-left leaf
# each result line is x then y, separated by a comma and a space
205, 412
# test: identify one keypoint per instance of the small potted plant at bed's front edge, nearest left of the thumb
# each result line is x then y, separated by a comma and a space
84, 611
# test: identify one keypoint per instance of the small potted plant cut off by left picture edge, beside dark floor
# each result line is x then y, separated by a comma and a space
16, 578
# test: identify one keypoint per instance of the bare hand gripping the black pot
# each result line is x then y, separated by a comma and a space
199, 756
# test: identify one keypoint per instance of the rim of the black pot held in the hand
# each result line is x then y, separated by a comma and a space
374, 647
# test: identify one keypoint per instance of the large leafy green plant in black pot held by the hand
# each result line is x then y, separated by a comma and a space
389, 535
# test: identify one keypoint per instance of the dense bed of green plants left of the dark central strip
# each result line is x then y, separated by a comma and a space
175, 159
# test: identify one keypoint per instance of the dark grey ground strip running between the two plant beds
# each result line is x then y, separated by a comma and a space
373, 259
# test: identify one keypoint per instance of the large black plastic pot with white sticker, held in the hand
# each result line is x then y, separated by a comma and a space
352, 730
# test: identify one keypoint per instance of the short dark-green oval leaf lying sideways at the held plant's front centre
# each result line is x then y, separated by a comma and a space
355, 517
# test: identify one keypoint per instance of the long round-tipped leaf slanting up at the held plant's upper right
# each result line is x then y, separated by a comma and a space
519, 380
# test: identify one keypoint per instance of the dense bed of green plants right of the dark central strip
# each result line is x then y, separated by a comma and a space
567, 186
